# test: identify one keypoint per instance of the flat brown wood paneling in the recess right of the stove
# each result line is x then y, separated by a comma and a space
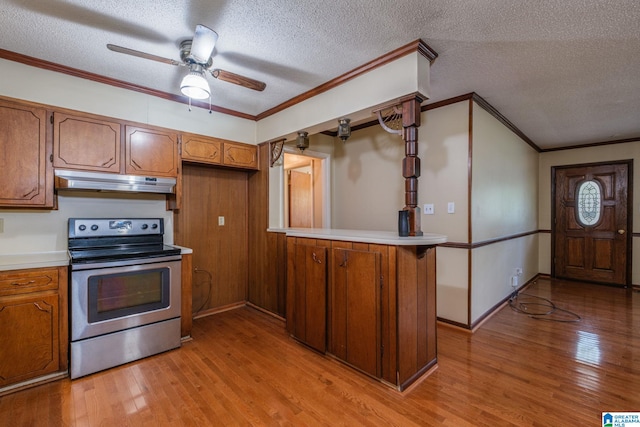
220, 252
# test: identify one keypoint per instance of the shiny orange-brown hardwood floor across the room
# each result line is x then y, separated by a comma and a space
243, 369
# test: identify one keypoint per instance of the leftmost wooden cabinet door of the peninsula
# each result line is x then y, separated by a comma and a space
307, 285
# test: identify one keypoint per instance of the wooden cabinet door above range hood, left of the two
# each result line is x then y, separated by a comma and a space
86, 143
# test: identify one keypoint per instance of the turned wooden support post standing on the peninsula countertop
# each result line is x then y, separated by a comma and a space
411, 162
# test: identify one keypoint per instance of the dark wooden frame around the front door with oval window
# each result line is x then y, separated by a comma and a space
629, 255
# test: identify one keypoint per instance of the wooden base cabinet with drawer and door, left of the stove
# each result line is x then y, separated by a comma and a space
33, 324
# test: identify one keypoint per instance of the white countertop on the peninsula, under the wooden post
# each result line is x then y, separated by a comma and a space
364, 236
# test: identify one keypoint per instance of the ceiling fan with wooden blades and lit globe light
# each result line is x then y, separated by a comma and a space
196, 55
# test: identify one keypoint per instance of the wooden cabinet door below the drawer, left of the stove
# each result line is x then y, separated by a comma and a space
29, 337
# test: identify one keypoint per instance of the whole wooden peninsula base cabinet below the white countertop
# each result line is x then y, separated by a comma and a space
375, 305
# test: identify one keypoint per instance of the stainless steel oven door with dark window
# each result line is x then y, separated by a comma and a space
115, 296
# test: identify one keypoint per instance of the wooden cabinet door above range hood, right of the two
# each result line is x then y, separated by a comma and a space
151, 152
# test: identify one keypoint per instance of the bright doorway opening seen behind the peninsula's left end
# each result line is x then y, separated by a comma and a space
306, 187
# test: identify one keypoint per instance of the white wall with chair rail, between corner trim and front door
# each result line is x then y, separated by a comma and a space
504, 204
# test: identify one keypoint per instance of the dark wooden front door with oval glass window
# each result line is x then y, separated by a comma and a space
592, 223
